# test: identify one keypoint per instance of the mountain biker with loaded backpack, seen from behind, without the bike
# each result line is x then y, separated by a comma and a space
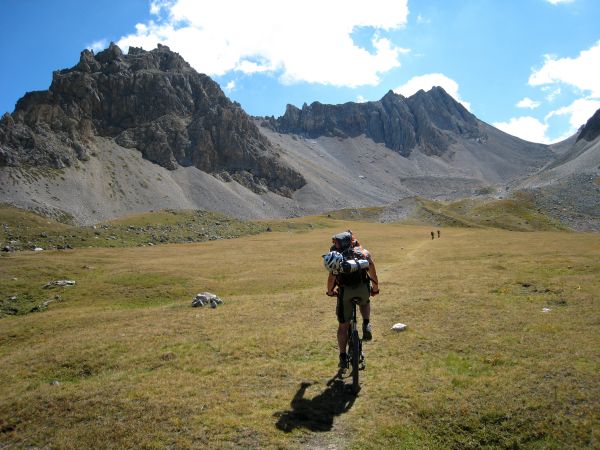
361, 285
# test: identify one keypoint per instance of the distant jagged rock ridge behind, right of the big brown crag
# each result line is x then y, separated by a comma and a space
426, 119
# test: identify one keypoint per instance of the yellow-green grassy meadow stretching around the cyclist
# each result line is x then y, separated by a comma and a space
123, 361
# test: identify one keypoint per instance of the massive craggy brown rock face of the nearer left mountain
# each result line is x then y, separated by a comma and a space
152, 101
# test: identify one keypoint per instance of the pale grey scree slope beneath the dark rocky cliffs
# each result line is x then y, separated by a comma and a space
340, 173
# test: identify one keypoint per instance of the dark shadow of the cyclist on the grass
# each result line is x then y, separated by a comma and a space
317, 414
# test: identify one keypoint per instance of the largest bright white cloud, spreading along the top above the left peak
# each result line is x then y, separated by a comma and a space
307, 42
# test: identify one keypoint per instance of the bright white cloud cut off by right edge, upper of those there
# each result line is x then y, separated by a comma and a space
580, 72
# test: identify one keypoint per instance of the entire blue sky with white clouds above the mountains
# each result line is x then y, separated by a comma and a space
530, 67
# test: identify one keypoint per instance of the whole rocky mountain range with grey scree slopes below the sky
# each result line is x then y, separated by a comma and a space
126, 133
